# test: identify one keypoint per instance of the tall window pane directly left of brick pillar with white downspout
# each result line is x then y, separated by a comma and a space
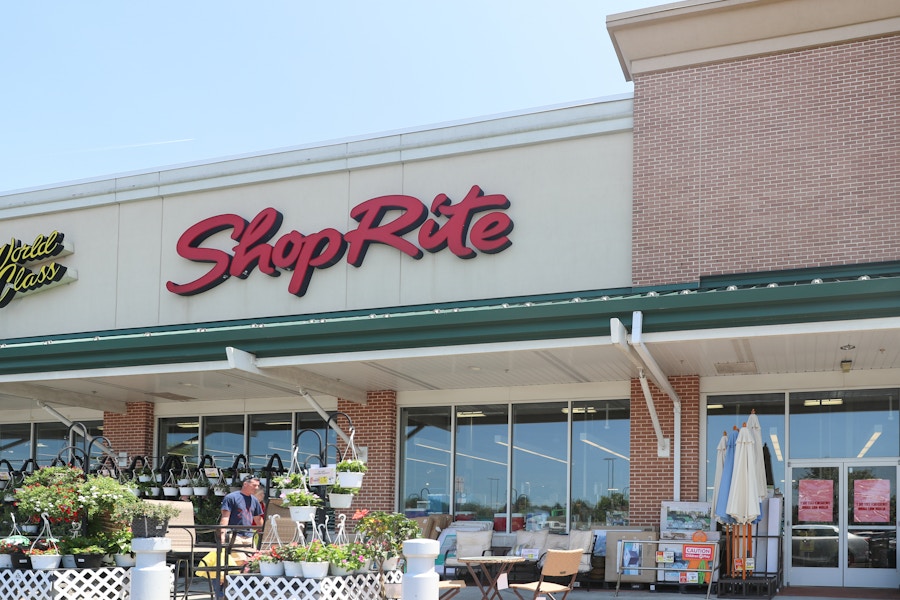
601, 463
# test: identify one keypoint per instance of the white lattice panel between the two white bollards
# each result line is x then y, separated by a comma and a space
353, 587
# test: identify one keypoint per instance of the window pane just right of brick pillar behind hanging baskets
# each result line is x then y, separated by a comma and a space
425, 456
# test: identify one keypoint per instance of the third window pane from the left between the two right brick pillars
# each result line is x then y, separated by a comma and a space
540, 467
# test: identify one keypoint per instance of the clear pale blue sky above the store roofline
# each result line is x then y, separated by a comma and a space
100, 87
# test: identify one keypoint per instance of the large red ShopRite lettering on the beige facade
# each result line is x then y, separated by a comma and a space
474, 224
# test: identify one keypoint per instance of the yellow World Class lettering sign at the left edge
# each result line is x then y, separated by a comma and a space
24, 268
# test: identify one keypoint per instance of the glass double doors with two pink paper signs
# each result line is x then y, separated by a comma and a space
842, 530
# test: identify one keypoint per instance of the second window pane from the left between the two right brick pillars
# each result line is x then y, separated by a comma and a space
482, 456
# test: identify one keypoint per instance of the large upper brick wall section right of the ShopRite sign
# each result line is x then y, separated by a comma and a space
769, 163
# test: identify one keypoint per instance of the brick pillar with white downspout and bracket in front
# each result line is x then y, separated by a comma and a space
652, 478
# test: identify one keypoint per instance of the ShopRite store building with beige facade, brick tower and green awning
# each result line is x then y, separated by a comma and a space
545, 319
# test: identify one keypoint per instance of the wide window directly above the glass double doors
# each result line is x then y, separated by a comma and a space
833, 424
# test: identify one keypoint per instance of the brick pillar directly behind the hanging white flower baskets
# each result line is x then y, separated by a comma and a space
376, 428
